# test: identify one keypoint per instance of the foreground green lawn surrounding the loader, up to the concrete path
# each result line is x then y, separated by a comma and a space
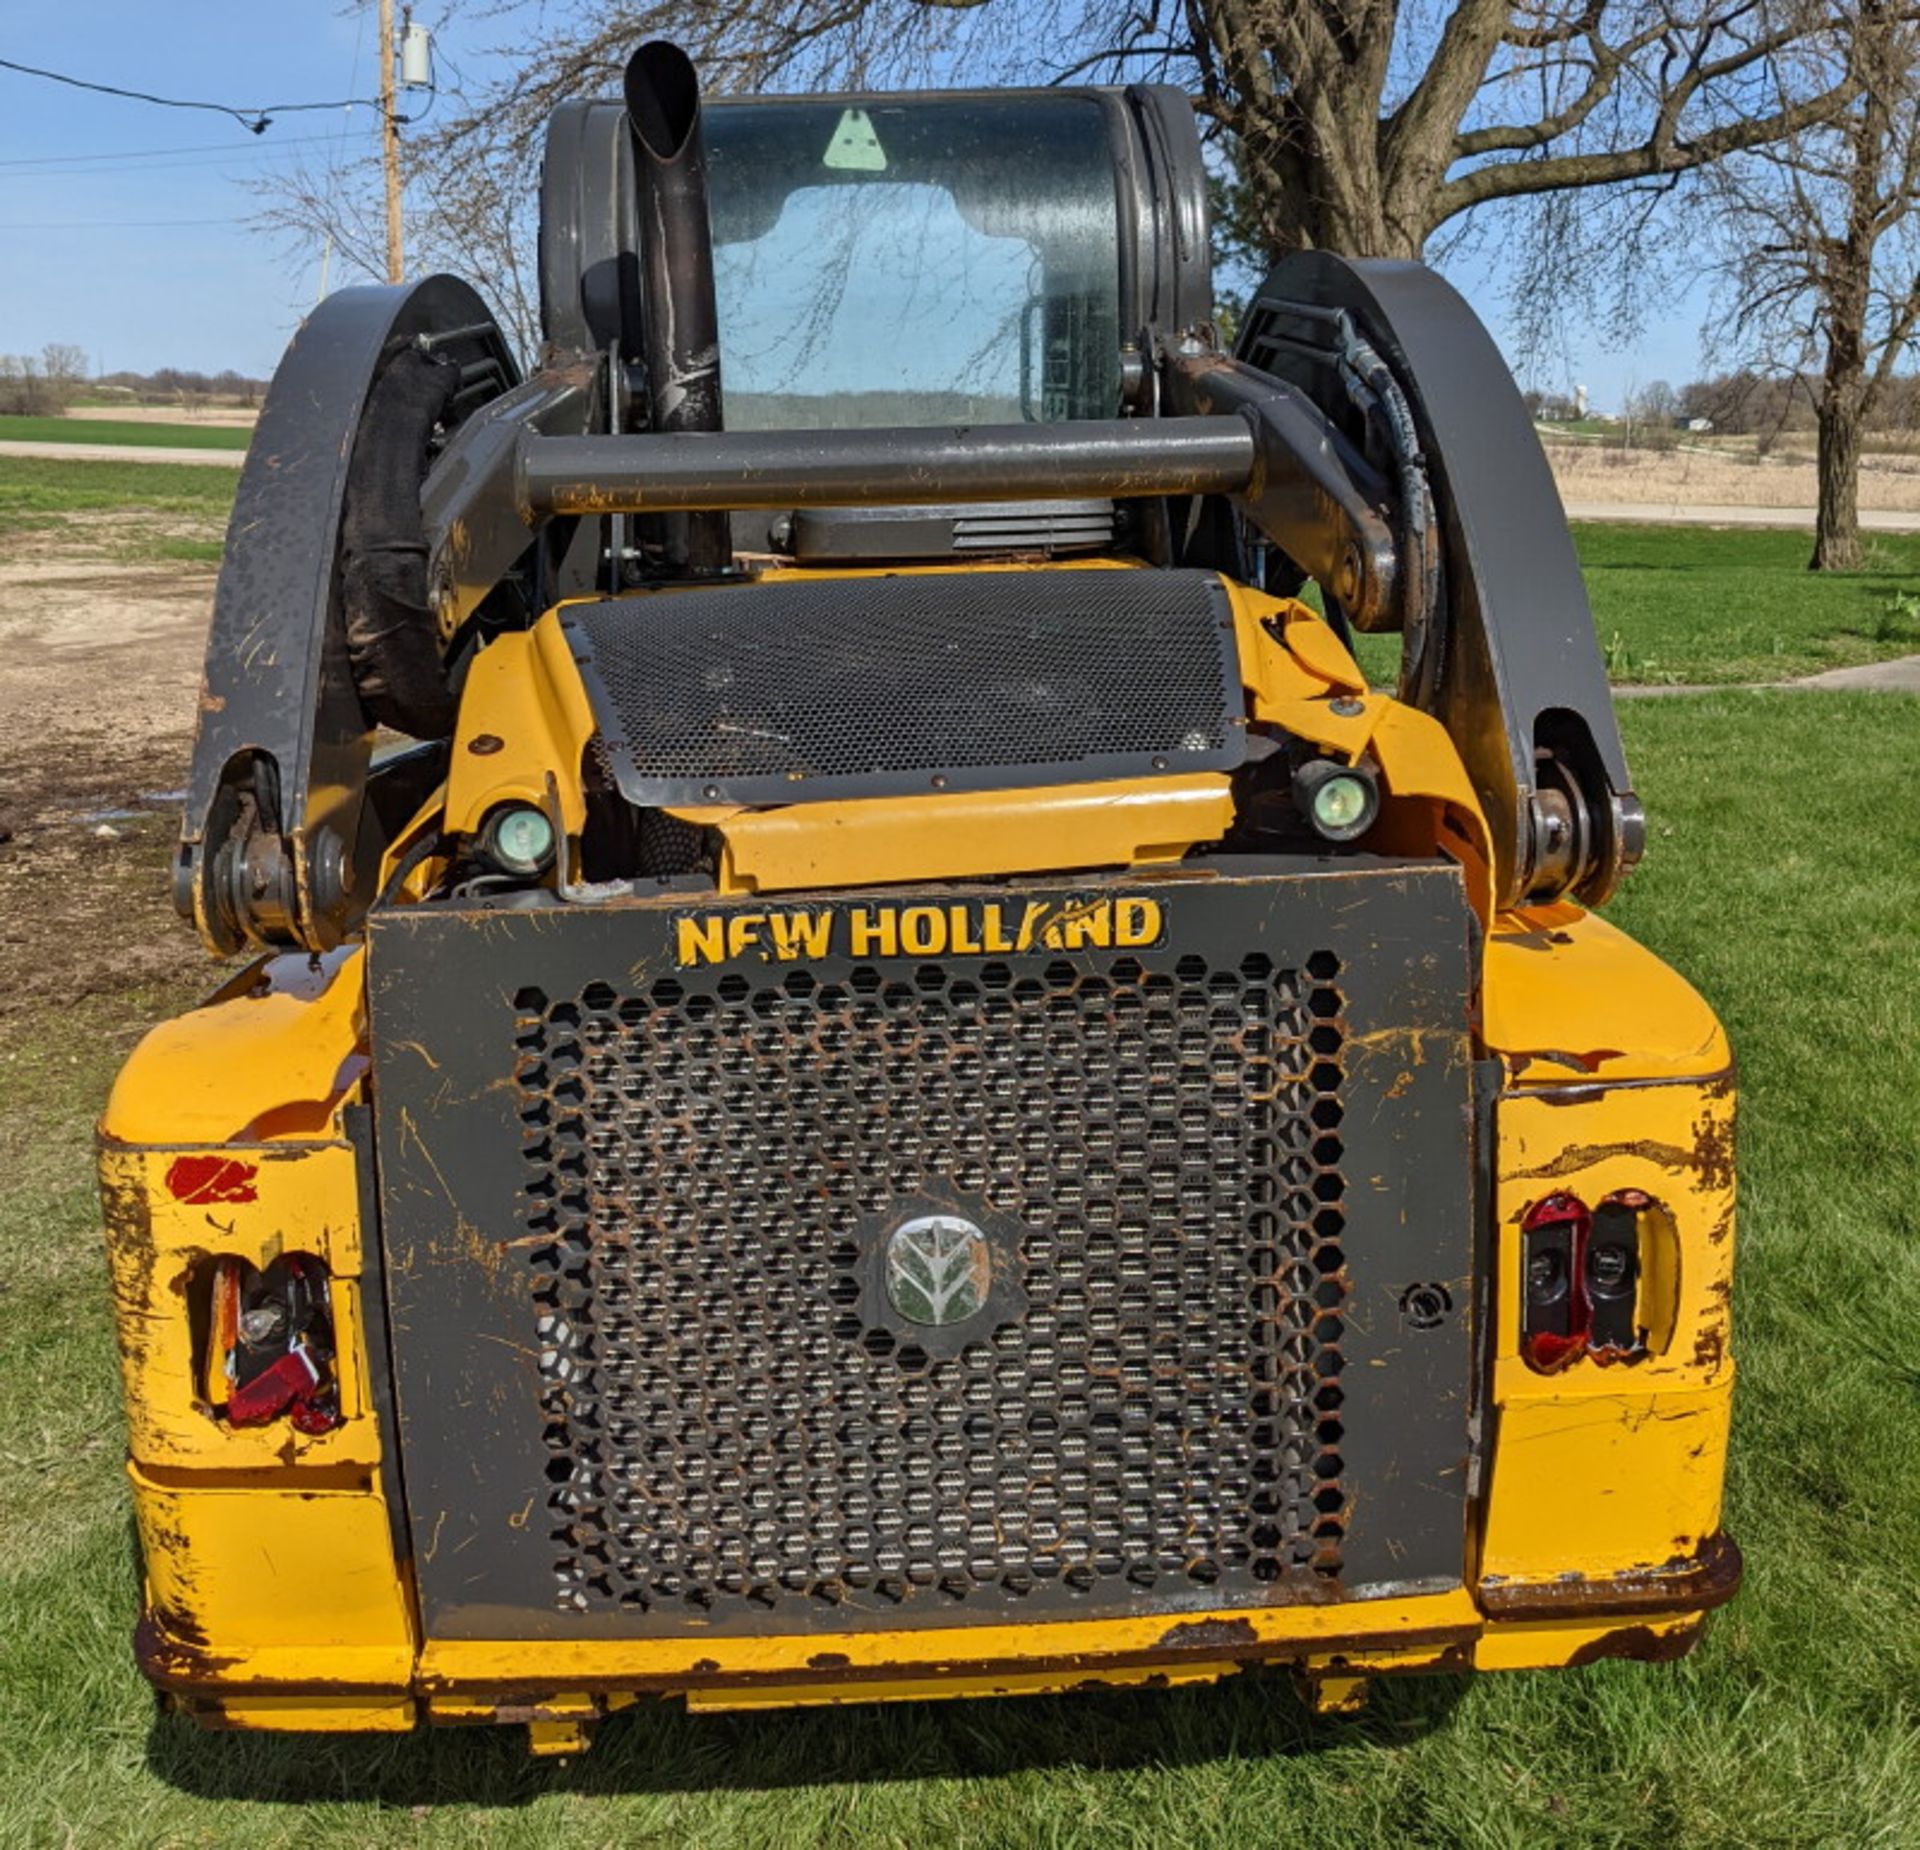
1783, 878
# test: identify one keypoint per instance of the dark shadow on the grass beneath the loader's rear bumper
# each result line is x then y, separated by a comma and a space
658, 1747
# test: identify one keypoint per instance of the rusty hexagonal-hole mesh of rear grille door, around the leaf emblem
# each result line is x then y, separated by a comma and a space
729, 1436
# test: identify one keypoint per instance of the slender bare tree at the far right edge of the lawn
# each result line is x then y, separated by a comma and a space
1825, 250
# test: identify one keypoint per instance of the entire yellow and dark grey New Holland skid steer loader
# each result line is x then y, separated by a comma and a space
873, 1070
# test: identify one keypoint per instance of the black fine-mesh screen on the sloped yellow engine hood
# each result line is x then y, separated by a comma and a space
921, 682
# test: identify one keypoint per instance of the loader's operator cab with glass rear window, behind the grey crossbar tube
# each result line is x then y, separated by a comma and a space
880, 260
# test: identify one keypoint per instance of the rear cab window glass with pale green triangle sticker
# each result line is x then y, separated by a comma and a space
915, 262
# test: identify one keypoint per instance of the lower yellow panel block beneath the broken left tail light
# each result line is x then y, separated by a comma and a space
281, 1586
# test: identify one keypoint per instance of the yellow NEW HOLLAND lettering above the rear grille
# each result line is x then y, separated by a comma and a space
955, 930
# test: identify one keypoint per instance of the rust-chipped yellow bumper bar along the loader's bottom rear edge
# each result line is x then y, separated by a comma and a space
1650, 1615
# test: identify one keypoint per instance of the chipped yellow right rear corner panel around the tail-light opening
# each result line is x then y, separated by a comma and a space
1608, 1469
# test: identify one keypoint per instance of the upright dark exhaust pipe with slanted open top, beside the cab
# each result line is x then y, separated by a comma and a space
677, 252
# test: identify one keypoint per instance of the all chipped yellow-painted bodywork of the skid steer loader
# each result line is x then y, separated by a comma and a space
279, 1586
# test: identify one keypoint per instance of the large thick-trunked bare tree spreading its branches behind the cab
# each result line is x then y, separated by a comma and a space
1358, 126
